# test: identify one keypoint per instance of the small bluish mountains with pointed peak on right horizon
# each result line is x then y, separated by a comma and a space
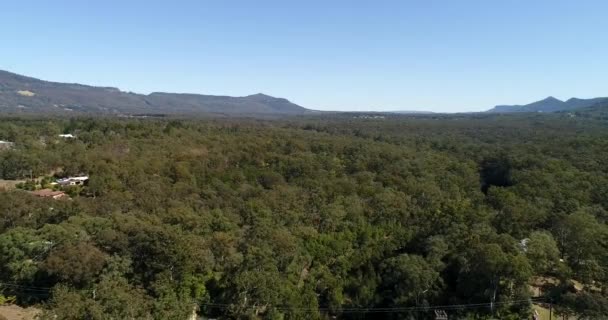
551, 104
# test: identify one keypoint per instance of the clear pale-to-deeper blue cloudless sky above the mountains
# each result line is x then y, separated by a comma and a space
452, 55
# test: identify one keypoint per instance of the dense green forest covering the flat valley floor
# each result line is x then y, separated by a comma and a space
341, 217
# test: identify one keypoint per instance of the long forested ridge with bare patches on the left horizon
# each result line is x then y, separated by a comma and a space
20, 94
